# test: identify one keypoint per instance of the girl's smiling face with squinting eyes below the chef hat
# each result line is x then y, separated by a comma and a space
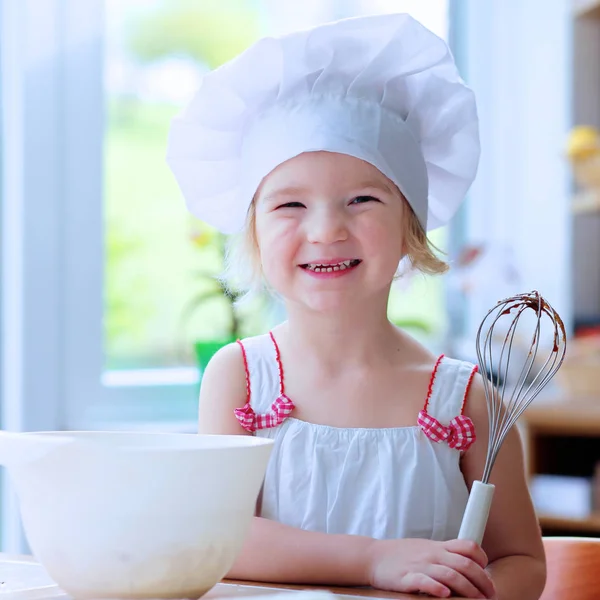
329, 230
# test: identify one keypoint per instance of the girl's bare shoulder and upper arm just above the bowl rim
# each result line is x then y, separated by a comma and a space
223, 389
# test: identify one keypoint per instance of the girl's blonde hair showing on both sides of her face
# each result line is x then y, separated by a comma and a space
243, 270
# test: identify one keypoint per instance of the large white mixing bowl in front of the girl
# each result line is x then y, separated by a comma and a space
135, 515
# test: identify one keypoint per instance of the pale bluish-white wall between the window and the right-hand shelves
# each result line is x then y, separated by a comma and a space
517, 59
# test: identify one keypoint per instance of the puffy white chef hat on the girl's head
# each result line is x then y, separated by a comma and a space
382, 88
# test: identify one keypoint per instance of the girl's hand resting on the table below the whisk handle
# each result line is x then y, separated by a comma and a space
439, 569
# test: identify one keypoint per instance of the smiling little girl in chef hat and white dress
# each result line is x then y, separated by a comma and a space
332, 152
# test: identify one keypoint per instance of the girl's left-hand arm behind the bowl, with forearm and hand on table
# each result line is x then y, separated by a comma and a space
274, 552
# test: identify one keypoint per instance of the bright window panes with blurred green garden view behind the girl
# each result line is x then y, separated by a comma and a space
154, 56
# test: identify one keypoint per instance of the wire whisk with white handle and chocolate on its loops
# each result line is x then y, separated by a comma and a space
511, 382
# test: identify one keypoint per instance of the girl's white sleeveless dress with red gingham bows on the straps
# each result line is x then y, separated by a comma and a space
382, 483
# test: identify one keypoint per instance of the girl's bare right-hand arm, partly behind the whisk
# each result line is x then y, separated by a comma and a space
512, 541
